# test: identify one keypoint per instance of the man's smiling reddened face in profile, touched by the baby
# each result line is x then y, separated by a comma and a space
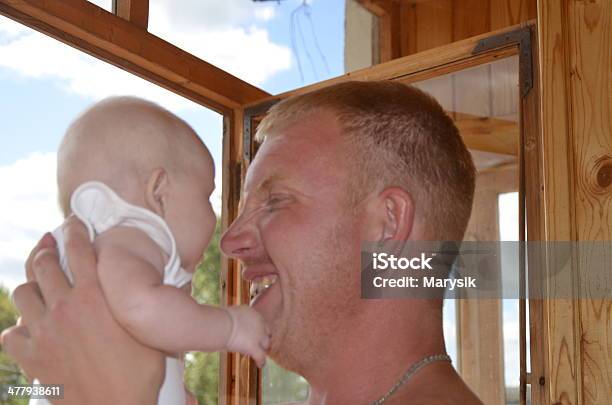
298, 242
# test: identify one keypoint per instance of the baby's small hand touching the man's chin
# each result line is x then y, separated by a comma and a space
249, 333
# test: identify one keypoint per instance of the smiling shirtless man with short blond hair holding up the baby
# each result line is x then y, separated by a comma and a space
376, 161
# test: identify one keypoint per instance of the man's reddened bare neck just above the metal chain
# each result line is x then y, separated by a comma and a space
374, 356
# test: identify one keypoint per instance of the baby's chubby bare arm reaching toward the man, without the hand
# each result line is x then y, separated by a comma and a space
130, 267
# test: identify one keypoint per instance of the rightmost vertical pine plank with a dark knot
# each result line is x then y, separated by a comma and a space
590, 86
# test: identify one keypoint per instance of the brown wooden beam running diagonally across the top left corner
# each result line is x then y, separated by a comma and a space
104, 35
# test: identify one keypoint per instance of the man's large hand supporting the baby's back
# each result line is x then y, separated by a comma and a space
68, 335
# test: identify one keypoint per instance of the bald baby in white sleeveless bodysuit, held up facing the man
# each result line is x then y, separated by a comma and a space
140, 179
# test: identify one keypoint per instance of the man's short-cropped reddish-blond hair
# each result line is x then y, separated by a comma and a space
397, 136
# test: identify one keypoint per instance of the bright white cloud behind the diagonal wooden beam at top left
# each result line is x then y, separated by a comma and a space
209, 29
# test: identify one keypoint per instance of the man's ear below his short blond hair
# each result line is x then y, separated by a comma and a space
393, 215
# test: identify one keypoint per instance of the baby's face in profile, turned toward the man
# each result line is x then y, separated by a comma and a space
189, 213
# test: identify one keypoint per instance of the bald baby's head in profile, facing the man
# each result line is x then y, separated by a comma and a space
151, 158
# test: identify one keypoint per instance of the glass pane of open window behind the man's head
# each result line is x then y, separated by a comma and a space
483, 101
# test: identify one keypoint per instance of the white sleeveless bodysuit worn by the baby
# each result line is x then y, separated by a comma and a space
100, 209
